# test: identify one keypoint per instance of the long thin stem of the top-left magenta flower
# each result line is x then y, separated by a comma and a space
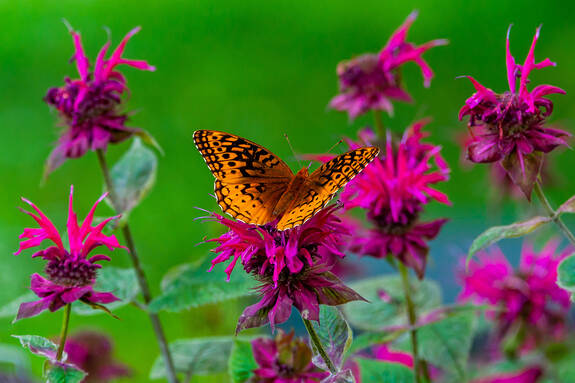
141, 276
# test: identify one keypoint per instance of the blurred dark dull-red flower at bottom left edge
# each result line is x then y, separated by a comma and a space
92, 353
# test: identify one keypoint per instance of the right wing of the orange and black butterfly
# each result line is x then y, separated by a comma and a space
324, 183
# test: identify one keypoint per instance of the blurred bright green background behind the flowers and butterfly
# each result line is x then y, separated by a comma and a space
258, 69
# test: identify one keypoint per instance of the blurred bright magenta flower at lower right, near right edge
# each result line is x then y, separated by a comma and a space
526, 299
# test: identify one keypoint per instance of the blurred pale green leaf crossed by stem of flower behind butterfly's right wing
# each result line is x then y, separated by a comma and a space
426, 295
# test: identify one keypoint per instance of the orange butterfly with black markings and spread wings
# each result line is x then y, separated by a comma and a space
255, 186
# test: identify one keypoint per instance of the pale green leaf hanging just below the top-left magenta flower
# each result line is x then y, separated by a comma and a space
133, 176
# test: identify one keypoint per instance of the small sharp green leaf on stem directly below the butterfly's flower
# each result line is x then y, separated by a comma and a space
334, 334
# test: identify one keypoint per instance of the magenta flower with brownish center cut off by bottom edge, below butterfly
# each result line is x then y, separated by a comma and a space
284, 359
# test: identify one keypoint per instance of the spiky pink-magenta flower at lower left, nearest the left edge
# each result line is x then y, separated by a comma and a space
71, 273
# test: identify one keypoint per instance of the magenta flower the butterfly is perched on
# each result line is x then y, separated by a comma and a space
288, 264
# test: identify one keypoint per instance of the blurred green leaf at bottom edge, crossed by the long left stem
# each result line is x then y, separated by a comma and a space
200, 356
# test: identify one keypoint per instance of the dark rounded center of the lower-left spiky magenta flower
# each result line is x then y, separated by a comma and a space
74, 273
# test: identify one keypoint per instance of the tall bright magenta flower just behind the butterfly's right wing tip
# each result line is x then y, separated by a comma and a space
393, 190
